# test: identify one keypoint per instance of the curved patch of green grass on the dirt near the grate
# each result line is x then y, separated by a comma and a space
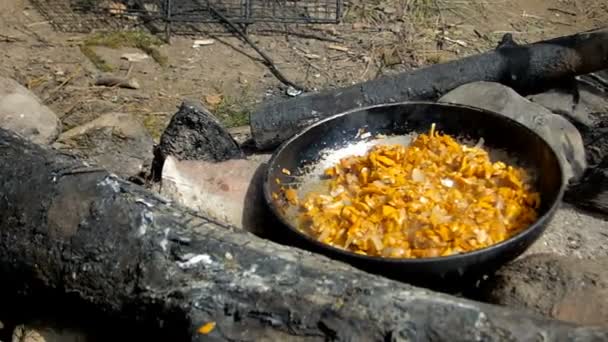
118, 39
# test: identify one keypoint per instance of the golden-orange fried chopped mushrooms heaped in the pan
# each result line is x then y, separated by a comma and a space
435, 197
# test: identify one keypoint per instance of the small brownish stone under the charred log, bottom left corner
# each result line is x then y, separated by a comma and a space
44, 333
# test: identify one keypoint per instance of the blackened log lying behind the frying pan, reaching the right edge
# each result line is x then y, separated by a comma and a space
526, 68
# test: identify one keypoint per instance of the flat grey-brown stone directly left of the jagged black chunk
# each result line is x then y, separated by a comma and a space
115, 141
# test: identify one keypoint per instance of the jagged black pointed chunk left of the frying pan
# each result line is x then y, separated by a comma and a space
194, 133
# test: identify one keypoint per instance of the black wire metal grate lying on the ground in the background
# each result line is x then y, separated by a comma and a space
87, 15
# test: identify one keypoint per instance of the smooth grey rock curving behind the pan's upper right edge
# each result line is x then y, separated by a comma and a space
558, 131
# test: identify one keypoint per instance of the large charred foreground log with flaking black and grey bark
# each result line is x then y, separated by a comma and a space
69, 231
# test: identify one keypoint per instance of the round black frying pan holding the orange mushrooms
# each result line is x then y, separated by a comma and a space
322, 144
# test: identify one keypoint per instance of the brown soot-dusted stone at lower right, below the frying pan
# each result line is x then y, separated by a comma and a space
563, 288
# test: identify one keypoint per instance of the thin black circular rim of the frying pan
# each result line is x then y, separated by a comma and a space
414, 261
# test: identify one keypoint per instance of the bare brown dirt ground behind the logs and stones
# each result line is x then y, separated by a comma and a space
375, 38
